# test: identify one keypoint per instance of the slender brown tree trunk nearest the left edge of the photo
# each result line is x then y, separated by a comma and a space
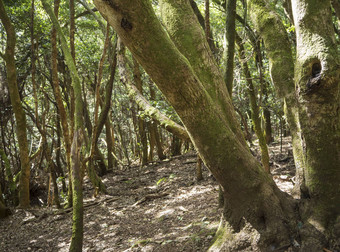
24, 194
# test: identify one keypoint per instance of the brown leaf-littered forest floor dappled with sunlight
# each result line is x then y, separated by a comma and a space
159, 207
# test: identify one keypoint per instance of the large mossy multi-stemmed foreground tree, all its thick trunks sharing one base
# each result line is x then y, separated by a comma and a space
179, 62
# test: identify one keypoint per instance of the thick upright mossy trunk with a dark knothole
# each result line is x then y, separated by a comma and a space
317, 80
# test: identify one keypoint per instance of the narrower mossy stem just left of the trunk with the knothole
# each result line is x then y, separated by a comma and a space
281, 64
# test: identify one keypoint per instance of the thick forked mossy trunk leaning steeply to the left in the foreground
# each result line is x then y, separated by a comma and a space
183, 67
